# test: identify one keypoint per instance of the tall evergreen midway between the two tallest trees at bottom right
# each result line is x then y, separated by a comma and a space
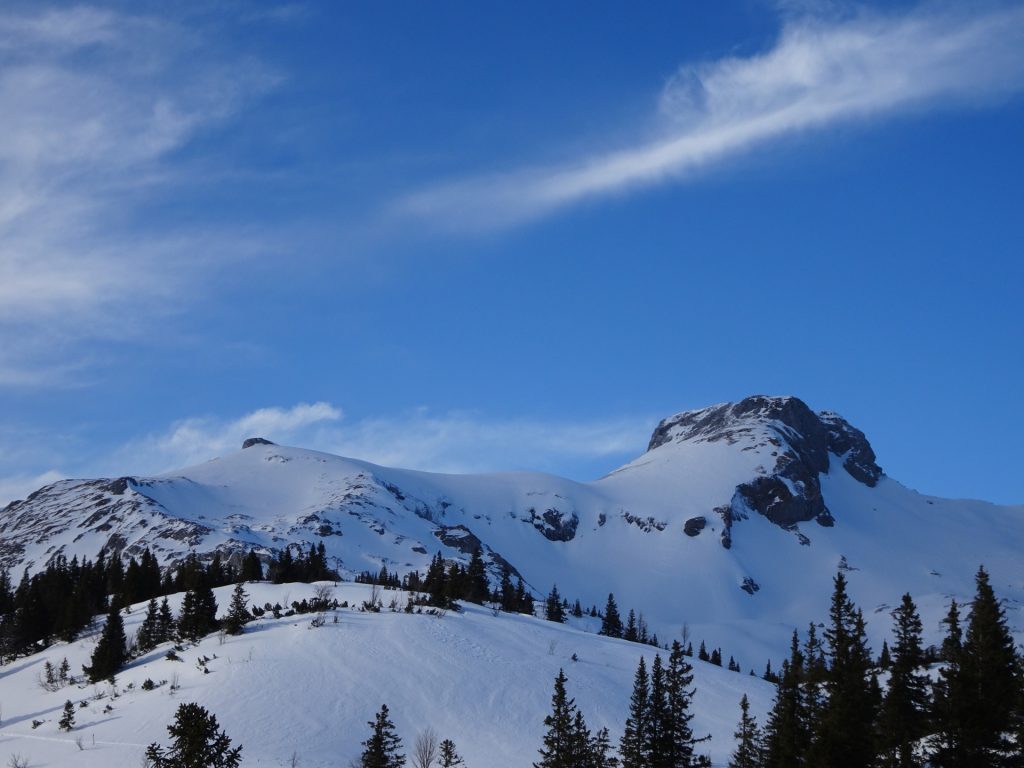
904, 719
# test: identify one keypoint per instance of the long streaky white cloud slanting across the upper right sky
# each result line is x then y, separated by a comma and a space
822, 71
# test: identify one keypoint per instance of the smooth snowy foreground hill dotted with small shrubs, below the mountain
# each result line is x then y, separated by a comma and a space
285, 689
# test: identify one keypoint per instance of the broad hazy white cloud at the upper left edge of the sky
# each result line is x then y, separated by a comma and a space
94, 105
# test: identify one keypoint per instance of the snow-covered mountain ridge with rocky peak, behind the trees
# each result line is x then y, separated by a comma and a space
732, 525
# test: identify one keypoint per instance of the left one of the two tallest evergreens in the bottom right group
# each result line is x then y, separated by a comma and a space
844, 737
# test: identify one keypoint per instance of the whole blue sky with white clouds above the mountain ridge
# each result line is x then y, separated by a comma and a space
465, 237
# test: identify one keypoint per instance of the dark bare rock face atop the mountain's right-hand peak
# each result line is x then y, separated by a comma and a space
804, 445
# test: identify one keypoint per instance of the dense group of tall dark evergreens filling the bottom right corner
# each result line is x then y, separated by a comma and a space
832, 710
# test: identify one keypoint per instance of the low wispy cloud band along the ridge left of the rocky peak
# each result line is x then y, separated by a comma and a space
419, 440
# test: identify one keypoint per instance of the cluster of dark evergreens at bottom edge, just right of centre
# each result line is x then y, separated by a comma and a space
657, 735
